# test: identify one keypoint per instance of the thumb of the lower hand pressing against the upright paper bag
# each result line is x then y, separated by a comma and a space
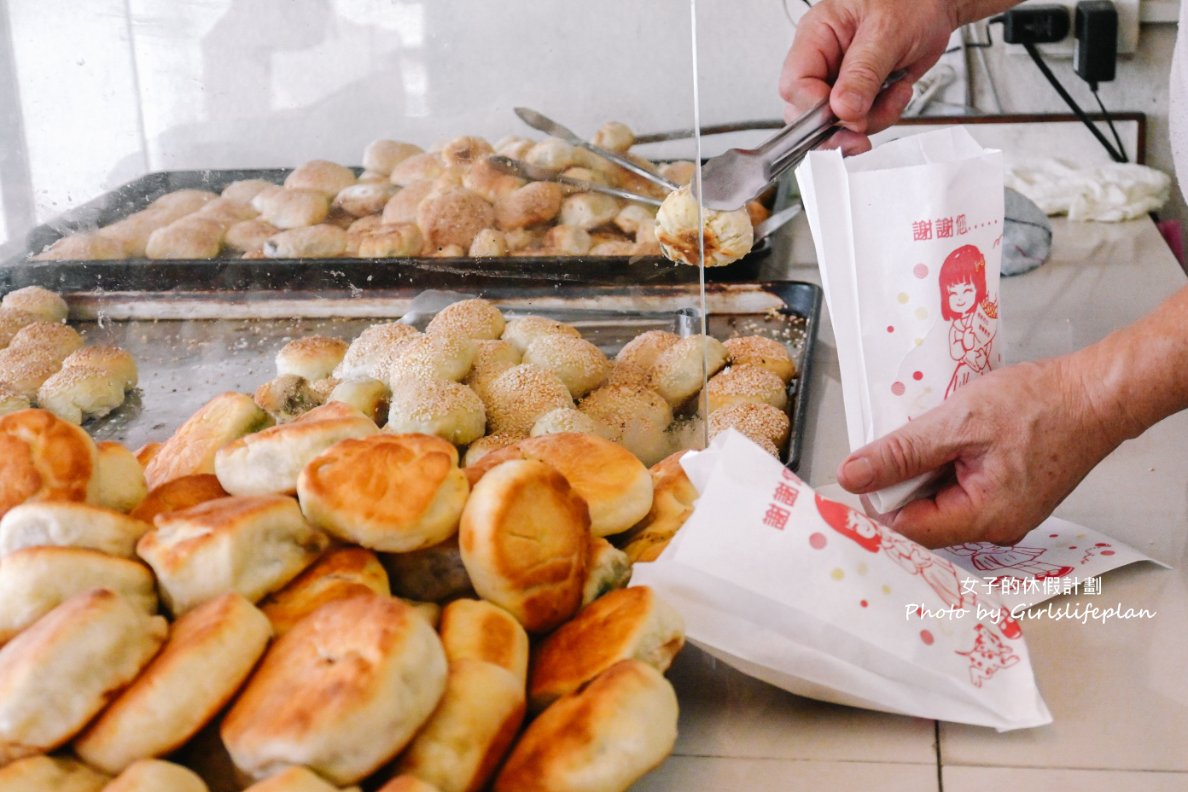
905, 454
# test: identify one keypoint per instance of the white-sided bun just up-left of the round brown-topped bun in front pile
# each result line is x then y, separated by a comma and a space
270, 461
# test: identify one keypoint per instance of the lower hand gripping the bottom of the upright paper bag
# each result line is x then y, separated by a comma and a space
1016, 442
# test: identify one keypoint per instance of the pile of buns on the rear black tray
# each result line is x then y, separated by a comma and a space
450, 201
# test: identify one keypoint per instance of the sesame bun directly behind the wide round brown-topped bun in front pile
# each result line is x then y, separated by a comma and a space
441, 408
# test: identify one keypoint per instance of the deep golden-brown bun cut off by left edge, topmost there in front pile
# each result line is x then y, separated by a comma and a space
43, 458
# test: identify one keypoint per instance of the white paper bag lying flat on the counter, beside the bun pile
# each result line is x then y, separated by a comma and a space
818, 599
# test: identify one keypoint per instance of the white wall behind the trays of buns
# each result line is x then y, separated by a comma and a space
111, 90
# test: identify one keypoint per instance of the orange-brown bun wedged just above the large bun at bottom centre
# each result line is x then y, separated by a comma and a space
339, 574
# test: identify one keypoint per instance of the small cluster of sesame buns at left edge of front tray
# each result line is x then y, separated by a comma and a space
45, 362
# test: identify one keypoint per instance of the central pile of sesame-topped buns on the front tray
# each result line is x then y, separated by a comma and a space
484, 382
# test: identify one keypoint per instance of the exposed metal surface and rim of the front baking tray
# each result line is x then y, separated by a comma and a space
187, 362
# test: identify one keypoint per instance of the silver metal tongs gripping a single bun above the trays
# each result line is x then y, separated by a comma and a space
735, 178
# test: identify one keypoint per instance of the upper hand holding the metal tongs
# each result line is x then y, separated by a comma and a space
855, 46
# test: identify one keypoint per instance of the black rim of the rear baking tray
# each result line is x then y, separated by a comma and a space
317, 275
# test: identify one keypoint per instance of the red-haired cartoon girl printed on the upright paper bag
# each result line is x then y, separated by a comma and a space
971, 314
